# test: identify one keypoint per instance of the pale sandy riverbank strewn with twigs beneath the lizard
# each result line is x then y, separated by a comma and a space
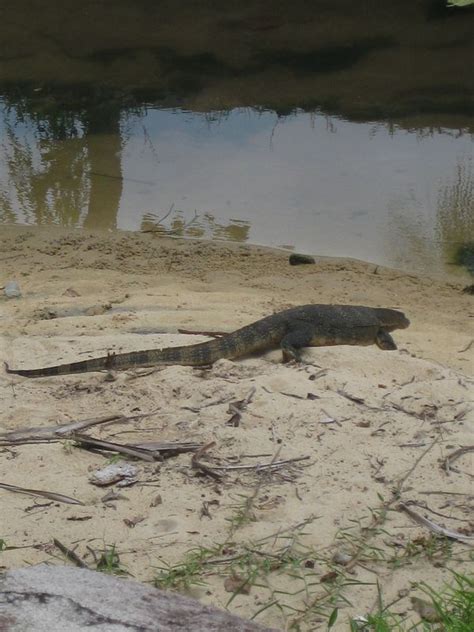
360, 415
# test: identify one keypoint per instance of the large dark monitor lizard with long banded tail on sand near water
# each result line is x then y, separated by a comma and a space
291, 329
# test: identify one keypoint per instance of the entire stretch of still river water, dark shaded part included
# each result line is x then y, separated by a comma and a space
335, 131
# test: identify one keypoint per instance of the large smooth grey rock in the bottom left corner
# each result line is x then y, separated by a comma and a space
46, 598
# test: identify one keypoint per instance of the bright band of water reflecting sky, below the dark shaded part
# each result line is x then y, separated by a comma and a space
318, 185
